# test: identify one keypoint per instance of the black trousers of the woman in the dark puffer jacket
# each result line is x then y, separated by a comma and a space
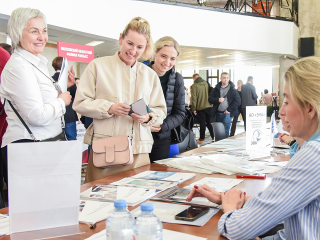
160, 149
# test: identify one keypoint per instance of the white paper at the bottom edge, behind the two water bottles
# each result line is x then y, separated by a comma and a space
166, 234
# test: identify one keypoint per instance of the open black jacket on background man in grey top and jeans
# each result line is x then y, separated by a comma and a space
233, 97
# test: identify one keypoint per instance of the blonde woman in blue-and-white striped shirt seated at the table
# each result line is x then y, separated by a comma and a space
293, 196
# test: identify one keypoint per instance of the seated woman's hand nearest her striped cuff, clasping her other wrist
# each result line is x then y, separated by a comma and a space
233, 199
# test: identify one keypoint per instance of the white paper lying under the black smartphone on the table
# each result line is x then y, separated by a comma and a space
166, 212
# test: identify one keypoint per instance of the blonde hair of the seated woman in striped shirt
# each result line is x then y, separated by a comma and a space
303, 79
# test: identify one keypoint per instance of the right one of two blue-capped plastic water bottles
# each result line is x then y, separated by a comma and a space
147, 226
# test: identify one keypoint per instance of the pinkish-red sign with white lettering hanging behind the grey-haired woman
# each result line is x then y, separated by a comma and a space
75, 52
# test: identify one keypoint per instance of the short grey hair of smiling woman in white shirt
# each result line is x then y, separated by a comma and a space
18, 21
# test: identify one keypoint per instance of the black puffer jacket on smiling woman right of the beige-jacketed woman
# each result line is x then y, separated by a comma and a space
175, 104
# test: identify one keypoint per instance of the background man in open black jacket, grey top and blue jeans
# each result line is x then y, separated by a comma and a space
226, 97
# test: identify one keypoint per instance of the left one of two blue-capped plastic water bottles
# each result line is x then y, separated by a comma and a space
119, 224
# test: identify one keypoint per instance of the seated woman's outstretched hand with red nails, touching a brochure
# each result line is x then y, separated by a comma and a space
205, 191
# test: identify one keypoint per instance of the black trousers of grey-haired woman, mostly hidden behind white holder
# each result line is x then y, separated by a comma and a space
4, 168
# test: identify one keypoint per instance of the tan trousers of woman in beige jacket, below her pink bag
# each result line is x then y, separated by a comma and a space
93, 173
